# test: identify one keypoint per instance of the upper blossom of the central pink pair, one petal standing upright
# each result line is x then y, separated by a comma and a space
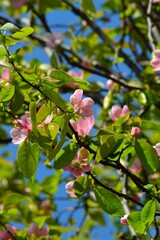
81, 106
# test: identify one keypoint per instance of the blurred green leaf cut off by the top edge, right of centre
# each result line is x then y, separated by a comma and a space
88, 8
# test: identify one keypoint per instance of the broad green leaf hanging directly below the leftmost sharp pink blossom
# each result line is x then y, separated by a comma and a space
27, 158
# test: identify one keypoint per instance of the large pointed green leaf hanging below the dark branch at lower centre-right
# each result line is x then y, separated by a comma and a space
109, 202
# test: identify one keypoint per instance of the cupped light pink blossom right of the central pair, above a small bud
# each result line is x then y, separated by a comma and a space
117, 112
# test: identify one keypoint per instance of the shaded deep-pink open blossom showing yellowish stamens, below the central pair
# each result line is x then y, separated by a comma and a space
78, 165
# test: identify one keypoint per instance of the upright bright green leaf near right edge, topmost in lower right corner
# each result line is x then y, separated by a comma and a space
148, 212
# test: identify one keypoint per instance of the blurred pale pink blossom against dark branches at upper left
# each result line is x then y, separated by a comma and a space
54, 39
